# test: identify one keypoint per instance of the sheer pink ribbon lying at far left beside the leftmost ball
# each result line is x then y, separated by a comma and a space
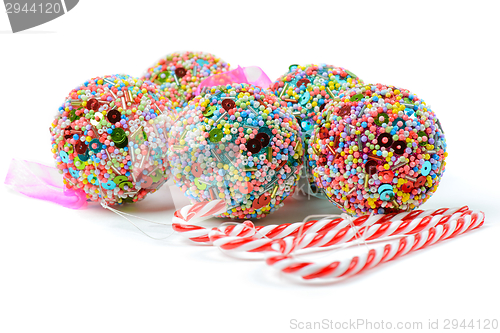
42, 182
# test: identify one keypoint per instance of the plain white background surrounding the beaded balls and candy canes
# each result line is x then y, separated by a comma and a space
90, 271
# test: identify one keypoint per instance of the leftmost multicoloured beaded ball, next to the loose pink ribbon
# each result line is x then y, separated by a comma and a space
109, 139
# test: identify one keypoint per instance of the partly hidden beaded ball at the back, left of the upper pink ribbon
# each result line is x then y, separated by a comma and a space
180, 74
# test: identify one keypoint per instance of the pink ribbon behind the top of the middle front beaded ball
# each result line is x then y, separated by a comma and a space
250, 75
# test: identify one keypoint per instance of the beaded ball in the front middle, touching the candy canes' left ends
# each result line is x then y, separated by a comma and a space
236, 143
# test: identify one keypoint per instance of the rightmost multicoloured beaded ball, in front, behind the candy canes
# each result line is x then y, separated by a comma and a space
377, 149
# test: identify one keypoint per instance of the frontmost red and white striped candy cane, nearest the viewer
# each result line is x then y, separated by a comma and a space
393, 249
